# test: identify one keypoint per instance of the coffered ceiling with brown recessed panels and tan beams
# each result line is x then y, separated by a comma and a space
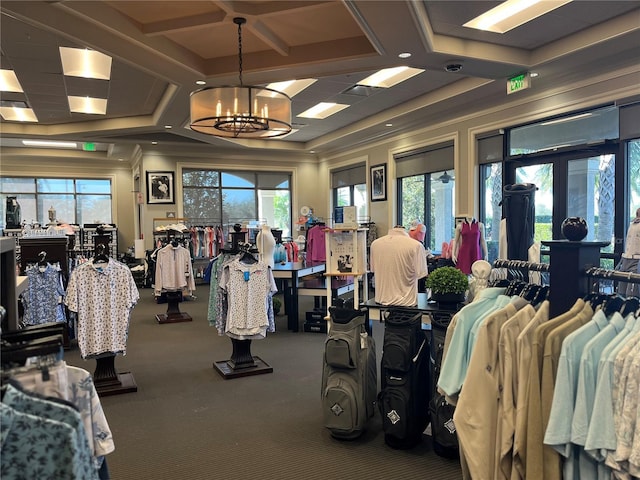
160, 49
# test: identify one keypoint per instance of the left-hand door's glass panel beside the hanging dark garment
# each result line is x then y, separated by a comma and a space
541, 176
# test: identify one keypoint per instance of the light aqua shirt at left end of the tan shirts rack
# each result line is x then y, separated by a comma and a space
456, 361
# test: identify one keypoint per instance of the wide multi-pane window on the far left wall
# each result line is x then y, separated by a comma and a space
76, 201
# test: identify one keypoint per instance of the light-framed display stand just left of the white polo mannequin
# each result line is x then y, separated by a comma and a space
347, 257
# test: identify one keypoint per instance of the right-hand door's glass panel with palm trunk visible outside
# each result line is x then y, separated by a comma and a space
590, 195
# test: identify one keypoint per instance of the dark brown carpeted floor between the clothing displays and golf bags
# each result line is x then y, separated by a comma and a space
186, 422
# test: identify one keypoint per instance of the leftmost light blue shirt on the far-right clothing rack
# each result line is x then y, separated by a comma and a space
558, 433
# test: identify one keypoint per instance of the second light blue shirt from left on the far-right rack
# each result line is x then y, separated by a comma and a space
586, 392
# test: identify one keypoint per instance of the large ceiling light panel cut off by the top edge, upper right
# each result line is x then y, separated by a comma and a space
513, 13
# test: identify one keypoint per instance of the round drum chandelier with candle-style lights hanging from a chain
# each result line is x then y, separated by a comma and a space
241, 111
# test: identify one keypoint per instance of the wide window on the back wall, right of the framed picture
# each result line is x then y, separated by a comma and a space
228, 197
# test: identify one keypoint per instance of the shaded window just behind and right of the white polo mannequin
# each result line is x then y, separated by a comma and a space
426, 192
